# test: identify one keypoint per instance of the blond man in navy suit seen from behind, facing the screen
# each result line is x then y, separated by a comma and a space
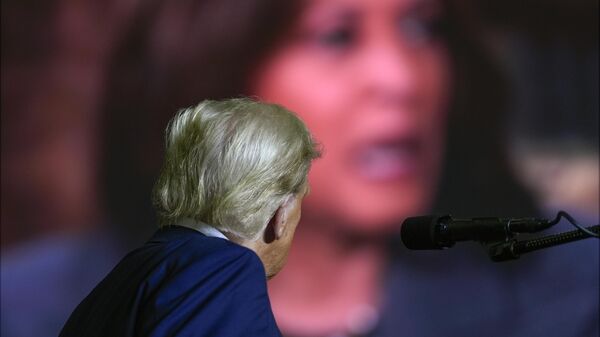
229, 200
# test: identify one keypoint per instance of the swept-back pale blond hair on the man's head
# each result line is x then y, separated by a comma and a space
231, 164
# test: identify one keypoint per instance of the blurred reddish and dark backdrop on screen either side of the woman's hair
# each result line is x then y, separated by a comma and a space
53, 67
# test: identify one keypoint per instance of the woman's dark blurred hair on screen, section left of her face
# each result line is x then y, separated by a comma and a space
172, 55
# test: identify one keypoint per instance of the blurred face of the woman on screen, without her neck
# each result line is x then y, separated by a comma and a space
370, 78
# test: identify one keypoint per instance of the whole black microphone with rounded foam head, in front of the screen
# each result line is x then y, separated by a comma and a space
441, 232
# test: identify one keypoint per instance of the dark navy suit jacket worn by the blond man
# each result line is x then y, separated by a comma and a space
180, 283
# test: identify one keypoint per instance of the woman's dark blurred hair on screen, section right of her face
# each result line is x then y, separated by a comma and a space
476, 178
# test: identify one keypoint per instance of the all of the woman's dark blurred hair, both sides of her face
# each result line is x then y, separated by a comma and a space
175, 53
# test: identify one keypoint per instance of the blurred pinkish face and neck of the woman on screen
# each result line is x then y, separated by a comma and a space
370, 79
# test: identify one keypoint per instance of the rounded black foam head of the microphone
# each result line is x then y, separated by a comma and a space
420, 233
